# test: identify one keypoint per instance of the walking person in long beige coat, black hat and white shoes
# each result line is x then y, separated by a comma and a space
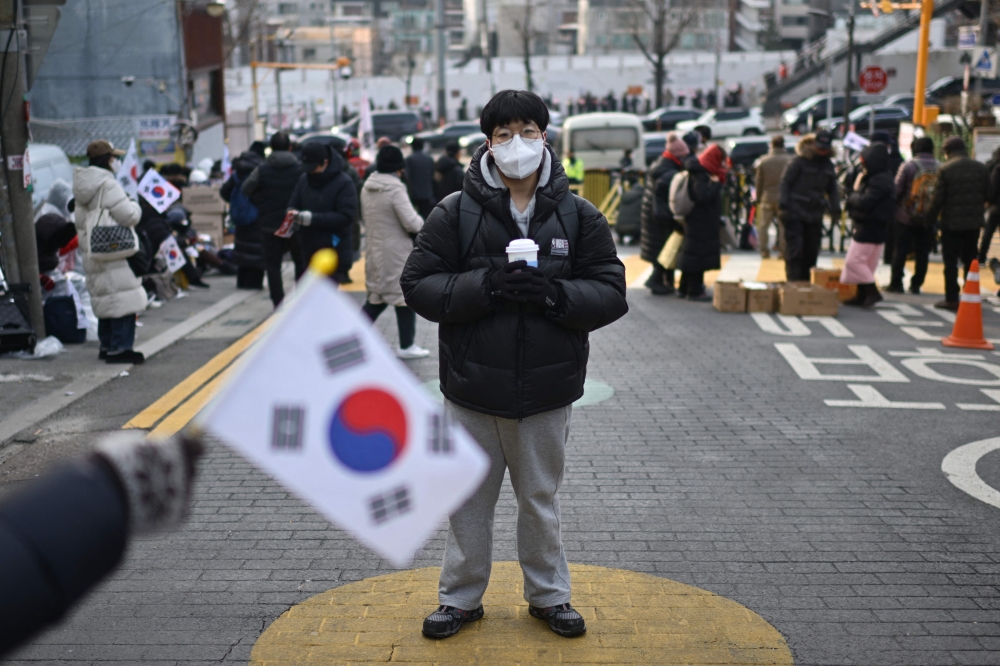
390, 221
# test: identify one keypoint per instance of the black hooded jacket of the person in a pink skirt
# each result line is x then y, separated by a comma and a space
873, 206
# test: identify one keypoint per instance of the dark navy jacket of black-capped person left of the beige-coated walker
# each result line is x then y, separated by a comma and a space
331, 198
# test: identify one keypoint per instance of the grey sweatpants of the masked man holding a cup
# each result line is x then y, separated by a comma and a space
534, 451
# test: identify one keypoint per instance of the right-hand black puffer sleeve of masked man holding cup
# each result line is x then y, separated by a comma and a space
595, 297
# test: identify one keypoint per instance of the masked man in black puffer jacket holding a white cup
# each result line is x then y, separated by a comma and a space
513, 346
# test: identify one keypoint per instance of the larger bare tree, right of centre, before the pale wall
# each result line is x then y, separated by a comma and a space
657, 30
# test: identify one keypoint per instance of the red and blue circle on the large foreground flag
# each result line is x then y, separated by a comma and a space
368, 430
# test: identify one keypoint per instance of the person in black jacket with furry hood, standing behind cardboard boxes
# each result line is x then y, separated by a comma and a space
808, 189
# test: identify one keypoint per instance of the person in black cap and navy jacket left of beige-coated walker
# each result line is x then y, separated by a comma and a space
327, 204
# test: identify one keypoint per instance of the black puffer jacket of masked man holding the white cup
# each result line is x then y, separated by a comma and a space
499, 357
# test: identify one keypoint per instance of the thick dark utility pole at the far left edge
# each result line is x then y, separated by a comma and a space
17, 222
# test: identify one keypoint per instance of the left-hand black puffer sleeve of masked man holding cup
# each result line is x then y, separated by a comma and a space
433, 283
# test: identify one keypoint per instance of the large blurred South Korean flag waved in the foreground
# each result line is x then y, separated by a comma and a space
323, 405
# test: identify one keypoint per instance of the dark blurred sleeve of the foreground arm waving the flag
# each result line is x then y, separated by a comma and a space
59, 536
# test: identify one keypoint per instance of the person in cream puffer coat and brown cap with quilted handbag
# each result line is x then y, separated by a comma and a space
115, 292
